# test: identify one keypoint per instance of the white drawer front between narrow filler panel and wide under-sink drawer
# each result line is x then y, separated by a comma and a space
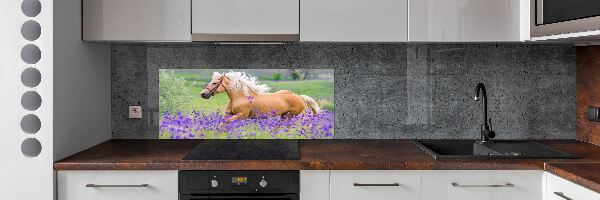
375, 185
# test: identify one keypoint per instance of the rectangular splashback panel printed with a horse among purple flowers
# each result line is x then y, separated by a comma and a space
246, 103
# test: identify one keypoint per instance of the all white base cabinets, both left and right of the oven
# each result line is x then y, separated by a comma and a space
341, 185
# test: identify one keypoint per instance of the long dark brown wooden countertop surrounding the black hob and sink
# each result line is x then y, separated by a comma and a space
314, 154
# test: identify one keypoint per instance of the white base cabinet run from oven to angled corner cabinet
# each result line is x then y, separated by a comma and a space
422, 185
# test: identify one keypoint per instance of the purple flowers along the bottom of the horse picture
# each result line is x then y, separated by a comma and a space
200, 125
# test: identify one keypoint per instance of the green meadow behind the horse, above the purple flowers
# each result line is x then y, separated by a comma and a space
321, 90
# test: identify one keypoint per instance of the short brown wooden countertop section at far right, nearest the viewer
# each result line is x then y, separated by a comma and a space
584, 174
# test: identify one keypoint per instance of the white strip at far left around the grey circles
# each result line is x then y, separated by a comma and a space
21, 177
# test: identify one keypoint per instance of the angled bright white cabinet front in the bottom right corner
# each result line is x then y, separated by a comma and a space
560, 189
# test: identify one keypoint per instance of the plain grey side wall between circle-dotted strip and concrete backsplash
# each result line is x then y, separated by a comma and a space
82, 109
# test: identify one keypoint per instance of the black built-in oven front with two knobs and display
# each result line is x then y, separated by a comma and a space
234, 185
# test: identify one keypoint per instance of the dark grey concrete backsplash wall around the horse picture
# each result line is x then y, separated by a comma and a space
382, 90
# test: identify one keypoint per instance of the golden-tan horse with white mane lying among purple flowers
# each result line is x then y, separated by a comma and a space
248, 99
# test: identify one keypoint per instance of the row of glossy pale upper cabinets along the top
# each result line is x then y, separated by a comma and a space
307, 20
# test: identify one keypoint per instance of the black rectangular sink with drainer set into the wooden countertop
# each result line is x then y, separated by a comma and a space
469, 149
